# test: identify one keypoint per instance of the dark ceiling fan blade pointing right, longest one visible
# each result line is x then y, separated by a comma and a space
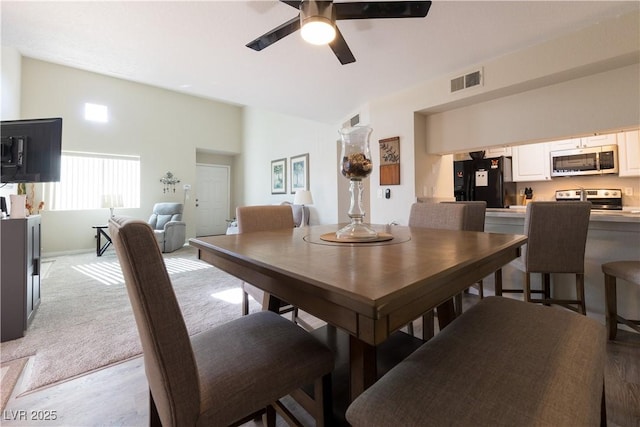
383, 9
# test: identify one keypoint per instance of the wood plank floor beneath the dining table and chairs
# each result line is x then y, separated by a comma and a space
118, 395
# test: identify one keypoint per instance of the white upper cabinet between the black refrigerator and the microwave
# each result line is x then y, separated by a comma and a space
531, 162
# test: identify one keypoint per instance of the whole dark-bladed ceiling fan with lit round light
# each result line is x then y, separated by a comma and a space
317, 21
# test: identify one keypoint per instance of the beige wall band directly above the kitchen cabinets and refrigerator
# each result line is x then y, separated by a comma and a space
606, 101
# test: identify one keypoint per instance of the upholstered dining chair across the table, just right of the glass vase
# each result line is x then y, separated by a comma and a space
446, 216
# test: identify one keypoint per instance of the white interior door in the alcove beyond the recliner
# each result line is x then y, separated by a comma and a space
212, 199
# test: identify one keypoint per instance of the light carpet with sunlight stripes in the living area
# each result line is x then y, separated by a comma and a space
85, 321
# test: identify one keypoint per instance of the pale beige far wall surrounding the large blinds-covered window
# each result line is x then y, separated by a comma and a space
164, 128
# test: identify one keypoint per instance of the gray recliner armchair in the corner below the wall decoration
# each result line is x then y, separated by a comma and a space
168, 227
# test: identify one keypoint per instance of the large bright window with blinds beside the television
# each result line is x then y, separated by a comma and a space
87, 178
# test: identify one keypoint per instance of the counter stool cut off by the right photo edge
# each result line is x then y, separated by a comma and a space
625, 270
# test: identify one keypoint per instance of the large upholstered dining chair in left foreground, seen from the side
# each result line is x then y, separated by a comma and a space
223, 376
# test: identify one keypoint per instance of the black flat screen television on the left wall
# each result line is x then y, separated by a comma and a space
31, 150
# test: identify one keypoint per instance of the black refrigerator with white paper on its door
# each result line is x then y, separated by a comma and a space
485, 179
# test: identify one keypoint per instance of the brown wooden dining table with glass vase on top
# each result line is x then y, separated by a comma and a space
369, 290
